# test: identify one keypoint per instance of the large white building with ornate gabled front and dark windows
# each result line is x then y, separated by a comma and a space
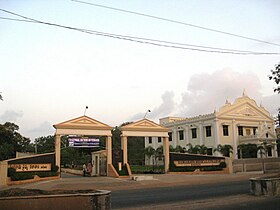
241, 122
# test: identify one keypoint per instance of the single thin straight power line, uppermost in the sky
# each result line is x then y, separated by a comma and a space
177, 22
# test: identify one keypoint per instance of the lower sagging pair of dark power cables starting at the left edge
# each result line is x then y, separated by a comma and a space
139, 39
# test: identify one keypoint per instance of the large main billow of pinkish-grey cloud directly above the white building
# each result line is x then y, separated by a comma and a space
207, 92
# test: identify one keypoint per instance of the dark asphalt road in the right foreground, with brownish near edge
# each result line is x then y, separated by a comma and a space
233, 195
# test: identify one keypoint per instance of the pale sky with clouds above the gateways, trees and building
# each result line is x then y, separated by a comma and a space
50, 74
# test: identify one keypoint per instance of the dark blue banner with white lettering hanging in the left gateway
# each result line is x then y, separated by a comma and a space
84, 141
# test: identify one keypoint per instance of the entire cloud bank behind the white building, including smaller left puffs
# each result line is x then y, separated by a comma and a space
207, 92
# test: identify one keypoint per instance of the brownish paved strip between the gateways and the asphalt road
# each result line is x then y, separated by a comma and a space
73, 182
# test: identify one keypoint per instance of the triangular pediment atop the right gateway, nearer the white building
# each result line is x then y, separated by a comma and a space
144, 125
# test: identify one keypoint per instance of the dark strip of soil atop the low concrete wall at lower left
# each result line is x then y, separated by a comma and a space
35, 192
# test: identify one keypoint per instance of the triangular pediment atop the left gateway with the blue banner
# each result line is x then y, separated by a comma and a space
83, 122
